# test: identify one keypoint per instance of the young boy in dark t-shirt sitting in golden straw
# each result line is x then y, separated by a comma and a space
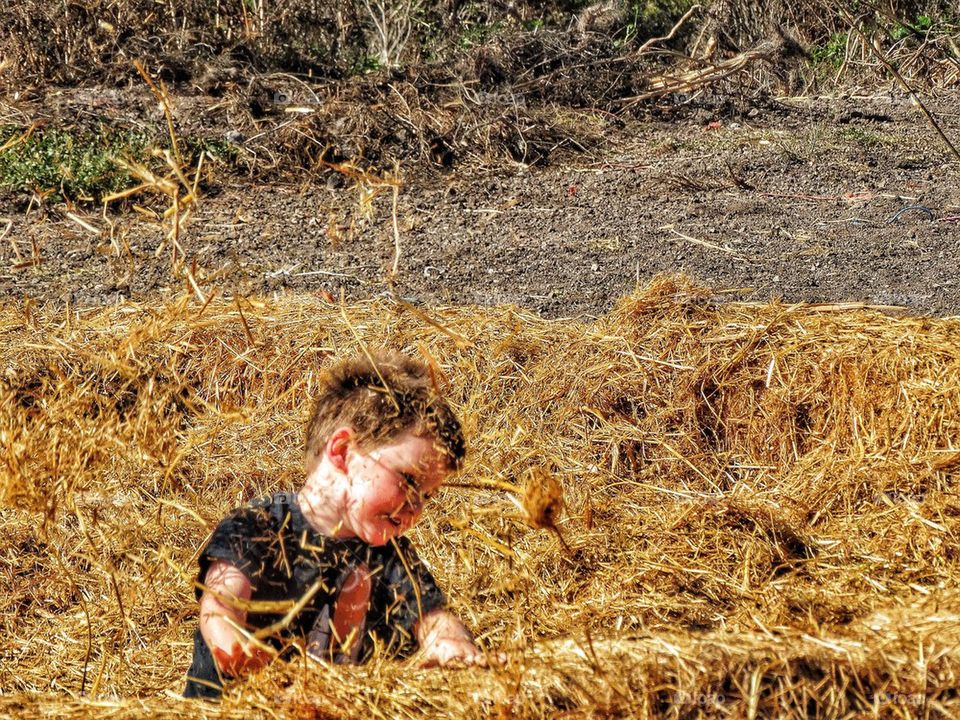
329, 568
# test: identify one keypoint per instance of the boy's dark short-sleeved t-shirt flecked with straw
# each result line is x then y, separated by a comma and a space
284, 558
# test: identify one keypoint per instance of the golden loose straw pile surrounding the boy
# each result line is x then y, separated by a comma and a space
761, 505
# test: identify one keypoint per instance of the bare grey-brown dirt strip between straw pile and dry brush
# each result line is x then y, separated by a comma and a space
825, 200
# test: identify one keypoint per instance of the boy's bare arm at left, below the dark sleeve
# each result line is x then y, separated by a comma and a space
234, 655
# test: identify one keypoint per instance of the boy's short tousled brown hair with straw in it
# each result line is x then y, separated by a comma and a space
380, 400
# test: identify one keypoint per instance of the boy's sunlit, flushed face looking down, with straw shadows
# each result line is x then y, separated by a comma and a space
389, 484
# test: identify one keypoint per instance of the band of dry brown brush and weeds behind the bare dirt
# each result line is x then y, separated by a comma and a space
292, 86
